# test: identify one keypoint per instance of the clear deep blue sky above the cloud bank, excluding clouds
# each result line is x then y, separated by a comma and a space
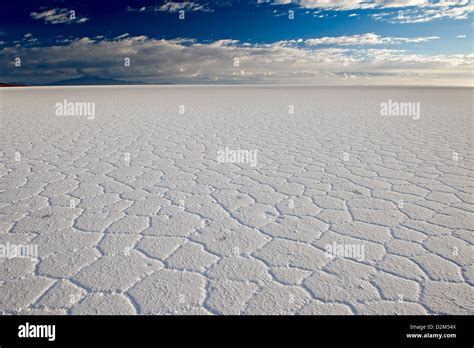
245, 21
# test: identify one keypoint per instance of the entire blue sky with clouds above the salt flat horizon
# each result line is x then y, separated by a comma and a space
321, 42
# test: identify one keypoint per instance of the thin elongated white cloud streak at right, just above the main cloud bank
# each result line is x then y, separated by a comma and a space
366, 39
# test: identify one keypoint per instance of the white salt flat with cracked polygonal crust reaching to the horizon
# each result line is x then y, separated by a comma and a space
132, 211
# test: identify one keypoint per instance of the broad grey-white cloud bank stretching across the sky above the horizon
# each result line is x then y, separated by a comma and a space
185, 60
